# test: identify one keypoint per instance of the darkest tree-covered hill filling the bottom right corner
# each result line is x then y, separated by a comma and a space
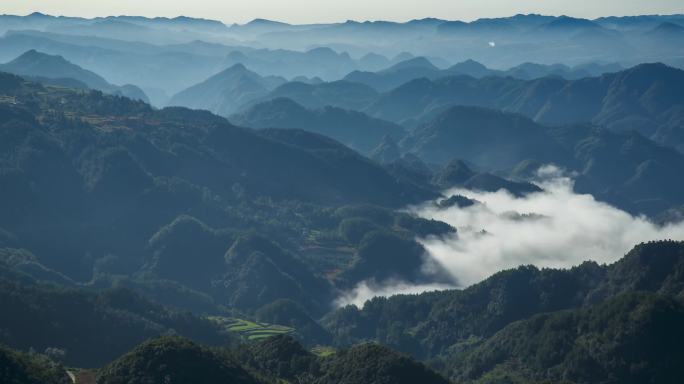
633, 338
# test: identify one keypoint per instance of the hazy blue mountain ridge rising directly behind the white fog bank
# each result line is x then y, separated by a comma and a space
614, 166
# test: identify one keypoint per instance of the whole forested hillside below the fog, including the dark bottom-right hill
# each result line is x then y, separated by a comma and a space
539, 323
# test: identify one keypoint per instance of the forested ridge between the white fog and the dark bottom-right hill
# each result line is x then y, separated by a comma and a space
423, 325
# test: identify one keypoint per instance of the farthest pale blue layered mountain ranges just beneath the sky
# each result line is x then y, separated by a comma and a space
162, 56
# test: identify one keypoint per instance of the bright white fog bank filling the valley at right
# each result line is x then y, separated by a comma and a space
556, 228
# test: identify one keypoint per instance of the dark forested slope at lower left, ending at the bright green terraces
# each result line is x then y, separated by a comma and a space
89, 328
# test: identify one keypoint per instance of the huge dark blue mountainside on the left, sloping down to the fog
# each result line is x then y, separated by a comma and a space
212, 185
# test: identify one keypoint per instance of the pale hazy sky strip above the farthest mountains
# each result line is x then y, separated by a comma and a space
308, 11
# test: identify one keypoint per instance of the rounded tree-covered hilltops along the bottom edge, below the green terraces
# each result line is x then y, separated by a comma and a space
276, 359
